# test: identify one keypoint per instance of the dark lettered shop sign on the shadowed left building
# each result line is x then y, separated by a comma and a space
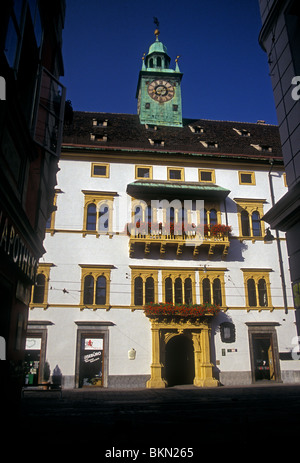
16, 250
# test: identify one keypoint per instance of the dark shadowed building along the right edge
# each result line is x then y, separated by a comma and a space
280, 39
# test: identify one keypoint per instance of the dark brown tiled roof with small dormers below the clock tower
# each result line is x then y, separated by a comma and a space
203, 137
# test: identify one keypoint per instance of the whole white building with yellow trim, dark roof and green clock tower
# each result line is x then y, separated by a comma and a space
158, 270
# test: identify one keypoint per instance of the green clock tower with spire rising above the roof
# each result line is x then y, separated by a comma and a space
158, 90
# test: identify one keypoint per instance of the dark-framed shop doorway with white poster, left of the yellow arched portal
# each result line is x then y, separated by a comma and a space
91, 362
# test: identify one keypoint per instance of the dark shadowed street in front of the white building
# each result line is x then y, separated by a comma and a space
257, 418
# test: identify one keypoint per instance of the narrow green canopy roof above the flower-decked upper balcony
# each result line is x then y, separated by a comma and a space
164, 188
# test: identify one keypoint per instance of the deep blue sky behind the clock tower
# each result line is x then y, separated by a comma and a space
225, 72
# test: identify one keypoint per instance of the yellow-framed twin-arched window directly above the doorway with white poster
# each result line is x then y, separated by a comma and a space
95, 286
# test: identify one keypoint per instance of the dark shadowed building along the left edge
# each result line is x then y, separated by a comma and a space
31, 120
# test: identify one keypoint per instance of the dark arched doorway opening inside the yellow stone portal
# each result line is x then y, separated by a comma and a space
179, 361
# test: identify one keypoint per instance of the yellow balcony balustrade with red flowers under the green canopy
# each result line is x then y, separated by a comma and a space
212, 238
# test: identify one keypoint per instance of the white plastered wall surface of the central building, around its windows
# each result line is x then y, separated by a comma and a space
62, 316
